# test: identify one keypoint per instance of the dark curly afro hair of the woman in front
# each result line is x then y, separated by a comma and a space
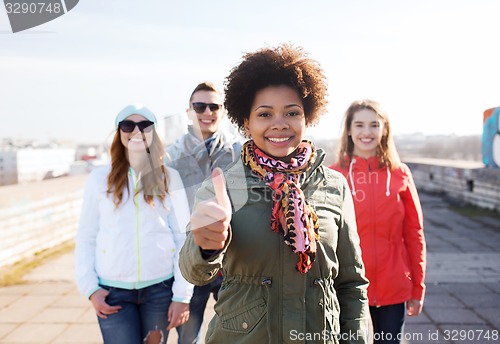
282, 65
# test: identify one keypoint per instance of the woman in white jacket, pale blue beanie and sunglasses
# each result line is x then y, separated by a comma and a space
131, 230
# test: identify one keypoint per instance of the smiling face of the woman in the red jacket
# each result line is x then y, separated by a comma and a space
367, 130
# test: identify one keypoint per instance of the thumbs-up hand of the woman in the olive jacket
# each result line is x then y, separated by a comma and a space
210, 219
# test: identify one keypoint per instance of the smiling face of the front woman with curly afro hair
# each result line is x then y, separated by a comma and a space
277, 121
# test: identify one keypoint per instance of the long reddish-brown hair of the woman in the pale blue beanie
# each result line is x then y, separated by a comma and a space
154, 182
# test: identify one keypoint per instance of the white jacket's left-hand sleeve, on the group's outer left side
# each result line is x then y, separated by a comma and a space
85, 240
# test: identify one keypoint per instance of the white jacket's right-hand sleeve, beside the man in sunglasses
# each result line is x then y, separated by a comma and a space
178, 219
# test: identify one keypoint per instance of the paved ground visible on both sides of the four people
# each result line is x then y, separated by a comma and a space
462, 303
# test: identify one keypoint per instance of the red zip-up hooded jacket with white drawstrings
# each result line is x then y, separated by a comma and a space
390, 226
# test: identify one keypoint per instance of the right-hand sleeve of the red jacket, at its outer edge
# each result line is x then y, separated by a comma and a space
413, 234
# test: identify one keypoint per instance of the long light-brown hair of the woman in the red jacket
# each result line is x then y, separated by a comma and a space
386, 150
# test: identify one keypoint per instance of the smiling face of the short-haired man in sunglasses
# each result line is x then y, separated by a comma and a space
208, 121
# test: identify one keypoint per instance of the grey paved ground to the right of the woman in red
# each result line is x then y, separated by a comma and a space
462, 302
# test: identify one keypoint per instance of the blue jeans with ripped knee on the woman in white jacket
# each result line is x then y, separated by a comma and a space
143, 310
